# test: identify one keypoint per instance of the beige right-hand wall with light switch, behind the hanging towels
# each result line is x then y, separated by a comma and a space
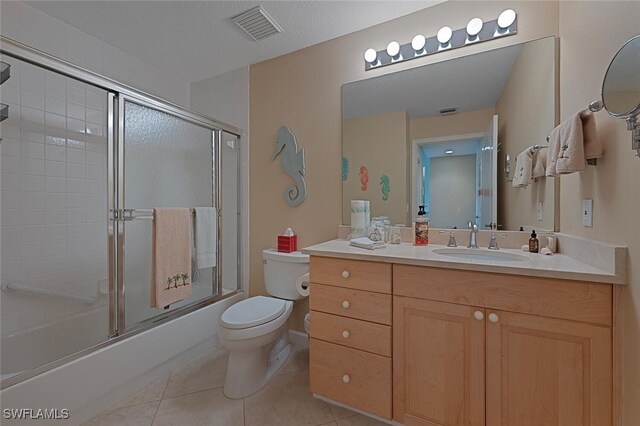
586, 50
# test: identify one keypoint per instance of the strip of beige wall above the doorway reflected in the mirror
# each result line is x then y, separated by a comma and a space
451, 125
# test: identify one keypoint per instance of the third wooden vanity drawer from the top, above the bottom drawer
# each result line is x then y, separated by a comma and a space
357, 334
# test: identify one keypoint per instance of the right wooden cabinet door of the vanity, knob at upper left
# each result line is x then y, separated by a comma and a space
543, 371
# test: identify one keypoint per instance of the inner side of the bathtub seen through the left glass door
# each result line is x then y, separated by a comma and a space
28, 349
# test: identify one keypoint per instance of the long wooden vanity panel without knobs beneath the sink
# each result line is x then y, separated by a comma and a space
565, 299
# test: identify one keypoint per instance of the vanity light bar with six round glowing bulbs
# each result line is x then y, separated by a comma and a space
476, 31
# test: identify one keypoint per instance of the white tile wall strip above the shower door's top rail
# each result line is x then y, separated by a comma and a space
34, 28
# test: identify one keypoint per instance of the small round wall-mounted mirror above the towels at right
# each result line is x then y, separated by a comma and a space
621, 85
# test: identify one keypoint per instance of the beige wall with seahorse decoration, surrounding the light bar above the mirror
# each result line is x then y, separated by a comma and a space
302, 90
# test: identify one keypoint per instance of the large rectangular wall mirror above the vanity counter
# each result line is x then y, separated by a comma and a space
438, 134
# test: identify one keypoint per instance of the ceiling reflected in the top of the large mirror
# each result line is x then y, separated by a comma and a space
469, 83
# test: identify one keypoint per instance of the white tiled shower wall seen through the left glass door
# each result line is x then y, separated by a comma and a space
53, 206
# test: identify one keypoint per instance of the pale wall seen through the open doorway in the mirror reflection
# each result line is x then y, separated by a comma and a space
453, 184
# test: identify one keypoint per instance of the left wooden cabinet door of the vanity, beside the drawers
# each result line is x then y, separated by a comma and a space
438, 363
